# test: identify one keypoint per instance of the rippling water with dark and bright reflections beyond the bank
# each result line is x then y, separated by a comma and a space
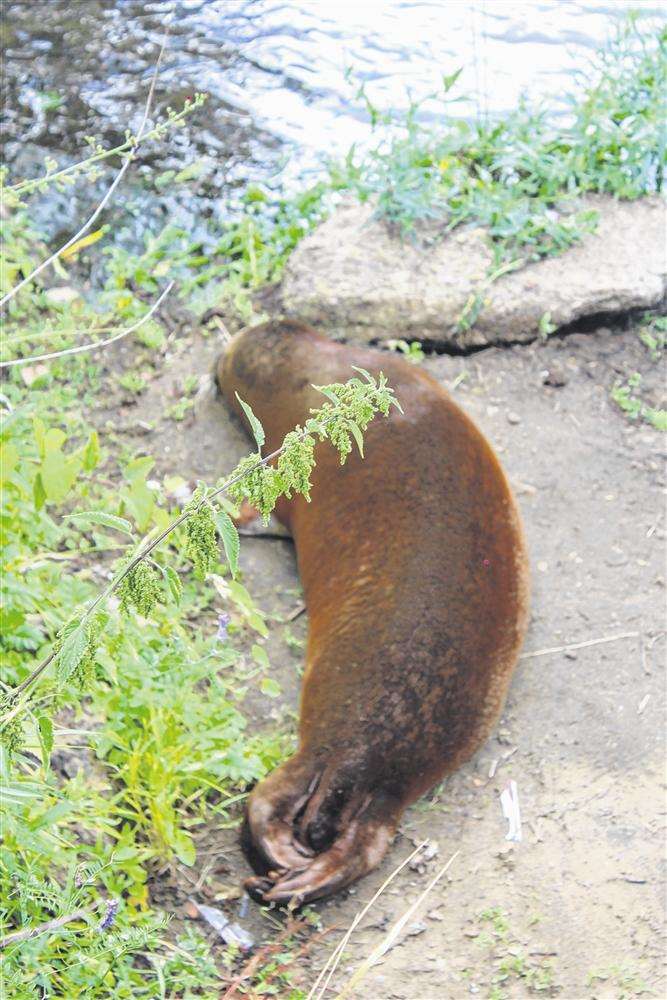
282, 78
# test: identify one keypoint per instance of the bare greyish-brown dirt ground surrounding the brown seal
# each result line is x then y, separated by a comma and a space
576, 908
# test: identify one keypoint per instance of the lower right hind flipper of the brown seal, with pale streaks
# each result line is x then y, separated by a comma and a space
360, 848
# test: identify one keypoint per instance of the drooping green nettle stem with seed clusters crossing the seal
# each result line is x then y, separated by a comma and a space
139, 581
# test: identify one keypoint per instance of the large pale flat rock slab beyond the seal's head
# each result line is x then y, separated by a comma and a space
357, 281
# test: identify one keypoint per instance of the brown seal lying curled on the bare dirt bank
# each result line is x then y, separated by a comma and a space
414, 571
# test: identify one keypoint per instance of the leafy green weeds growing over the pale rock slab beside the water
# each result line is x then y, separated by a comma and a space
519, 177
